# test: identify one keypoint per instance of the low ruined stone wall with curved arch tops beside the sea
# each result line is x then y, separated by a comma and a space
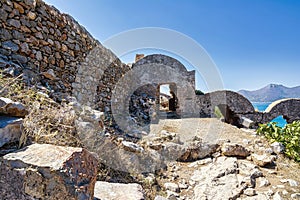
234, 107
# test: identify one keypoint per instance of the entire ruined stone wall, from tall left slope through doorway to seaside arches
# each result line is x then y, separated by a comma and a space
54, 53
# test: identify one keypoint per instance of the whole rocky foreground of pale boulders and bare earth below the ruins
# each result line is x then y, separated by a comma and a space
178, 159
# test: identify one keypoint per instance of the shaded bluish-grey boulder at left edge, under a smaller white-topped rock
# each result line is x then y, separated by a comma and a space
10, 130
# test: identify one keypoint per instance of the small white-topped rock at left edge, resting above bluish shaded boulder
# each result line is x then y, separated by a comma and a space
10, 108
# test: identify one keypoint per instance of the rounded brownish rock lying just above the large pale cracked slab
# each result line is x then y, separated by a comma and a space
229, 149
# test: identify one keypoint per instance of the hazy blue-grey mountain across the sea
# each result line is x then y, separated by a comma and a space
271, 93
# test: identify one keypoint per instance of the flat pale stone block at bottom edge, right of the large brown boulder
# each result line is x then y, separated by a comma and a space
117, 191
